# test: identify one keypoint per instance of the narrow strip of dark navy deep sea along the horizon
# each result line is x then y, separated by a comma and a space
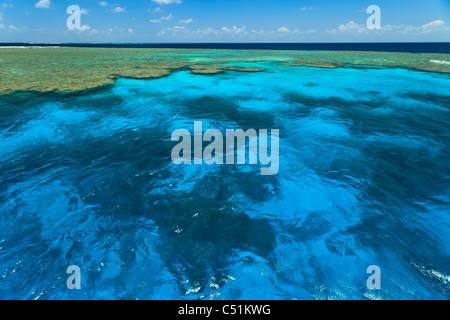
412, 47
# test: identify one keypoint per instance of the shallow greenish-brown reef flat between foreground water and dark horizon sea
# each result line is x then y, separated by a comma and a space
76, 69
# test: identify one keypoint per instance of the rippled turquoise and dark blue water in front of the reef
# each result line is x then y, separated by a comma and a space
86, 179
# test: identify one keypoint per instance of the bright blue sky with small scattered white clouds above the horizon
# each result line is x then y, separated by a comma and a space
179, 21
